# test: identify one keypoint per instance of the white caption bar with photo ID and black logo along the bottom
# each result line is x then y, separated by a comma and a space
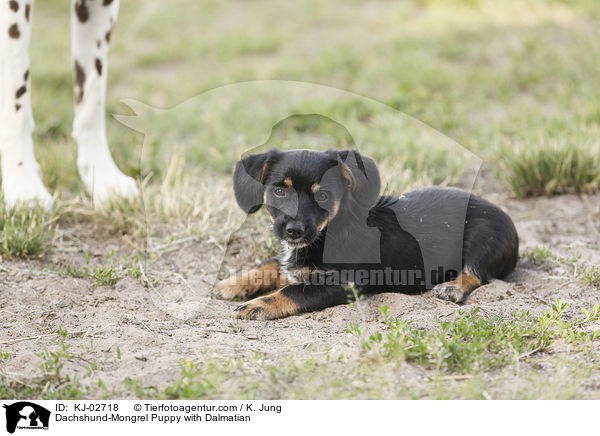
90, 418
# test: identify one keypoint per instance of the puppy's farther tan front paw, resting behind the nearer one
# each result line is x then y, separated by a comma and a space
266, 277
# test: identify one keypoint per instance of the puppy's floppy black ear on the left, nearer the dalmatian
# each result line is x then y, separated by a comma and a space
249, 175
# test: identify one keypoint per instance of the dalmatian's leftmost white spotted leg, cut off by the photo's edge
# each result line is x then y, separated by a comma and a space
21, 179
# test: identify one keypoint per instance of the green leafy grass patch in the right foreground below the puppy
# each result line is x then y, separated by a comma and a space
473, 342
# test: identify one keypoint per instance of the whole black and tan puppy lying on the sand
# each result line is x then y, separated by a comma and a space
336, 229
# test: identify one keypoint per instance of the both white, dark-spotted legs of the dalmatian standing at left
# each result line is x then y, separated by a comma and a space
92, 22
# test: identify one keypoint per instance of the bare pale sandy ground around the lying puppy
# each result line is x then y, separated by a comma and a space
156, 327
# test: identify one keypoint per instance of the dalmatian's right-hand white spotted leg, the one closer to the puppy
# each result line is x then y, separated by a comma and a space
91, 26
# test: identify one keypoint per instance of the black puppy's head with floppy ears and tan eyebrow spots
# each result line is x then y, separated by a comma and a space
304, 190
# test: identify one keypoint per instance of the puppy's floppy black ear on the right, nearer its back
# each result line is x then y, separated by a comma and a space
362, 176
